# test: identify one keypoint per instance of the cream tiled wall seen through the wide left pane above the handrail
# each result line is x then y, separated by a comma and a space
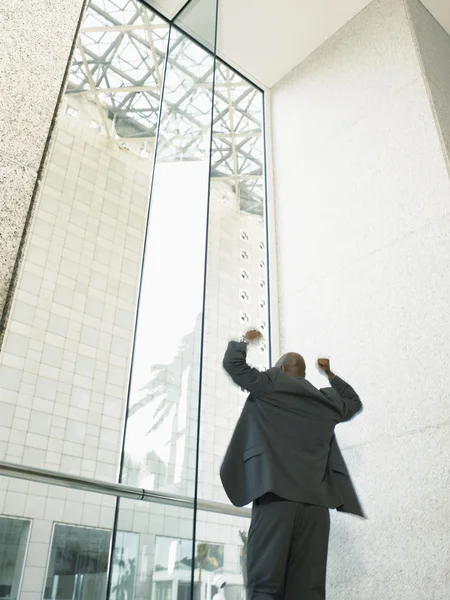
65, 361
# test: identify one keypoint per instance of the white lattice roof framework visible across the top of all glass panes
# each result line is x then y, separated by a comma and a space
119, 66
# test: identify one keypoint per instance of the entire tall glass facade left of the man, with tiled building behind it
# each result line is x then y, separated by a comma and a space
147, 254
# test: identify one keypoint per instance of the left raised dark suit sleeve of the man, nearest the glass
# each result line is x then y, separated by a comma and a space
235, 364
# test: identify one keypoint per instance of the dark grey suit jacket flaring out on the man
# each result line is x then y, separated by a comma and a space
284, 440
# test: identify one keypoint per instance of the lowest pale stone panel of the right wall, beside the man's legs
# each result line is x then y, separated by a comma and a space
401, 550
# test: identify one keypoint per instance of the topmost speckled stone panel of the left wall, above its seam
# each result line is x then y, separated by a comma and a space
35, 46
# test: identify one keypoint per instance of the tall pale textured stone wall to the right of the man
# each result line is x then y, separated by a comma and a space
363, 216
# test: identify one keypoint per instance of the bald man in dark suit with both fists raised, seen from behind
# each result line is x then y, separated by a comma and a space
284, 458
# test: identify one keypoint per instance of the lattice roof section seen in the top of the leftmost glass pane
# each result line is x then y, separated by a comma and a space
118, 67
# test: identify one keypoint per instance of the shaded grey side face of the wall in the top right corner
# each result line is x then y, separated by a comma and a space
434, 47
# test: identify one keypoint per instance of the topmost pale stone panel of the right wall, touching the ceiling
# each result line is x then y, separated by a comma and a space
352, 74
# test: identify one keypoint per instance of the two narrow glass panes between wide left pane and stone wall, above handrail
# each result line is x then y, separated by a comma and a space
161, 440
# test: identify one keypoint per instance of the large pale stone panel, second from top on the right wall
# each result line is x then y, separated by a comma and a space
375, 182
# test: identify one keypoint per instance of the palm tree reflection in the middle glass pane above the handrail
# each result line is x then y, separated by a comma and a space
166, 402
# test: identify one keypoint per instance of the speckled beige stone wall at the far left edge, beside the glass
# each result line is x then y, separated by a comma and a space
34, 49
